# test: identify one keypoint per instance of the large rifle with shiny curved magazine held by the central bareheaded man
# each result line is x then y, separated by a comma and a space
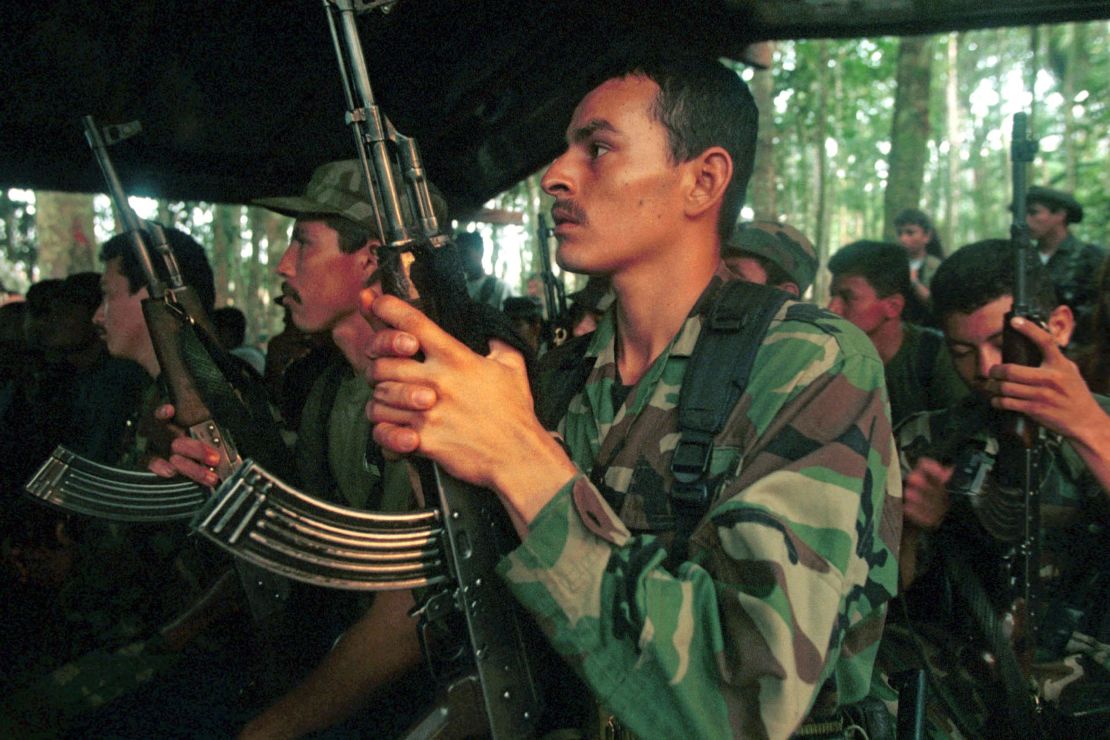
489, 687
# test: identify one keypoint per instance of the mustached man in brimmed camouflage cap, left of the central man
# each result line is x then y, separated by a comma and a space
331, 258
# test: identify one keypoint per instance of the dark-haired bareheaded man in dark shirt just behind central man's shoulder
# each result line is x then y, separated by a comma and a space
871, 289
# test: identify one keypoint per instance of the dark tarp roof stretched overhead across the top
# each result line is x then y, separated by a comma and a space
241, 100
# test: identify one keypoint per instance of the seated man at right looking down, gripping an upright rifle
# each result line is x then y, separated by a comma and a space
965, 511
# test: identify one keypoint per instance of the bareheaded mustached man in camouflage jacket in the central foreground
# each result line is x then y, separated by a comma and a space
772, 613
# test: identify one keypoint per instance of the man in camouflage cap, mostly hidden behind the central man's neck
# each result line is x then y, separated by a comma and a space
772, 254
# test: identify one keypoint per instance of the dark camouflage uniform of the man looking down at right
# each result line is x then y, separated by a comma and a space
981, 530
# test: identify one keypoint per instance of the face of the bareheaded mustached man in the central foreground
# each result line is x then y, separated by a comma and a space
618, 192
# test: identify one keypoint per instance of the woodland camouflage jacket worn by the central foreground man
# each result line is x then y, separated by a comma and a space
788, 579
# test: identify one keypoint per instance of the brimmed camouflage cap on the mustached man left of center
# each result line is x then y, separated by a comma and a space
339, 189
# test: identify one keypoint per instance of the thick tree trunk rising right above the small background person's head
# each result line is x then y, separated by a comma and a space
910, 134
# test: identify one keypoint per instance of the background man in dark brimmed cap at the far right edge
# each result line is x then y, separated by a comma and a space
1072, 265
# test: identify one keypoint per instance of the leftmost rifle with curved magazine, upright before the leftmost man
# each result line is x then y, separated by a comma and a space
195, 371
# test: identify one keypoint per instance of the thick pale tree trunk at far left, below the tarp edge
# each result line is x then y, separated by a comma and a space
64, 227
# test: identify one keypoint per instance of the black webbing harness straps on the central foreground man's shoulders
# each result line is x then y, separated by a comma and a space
733, 329
